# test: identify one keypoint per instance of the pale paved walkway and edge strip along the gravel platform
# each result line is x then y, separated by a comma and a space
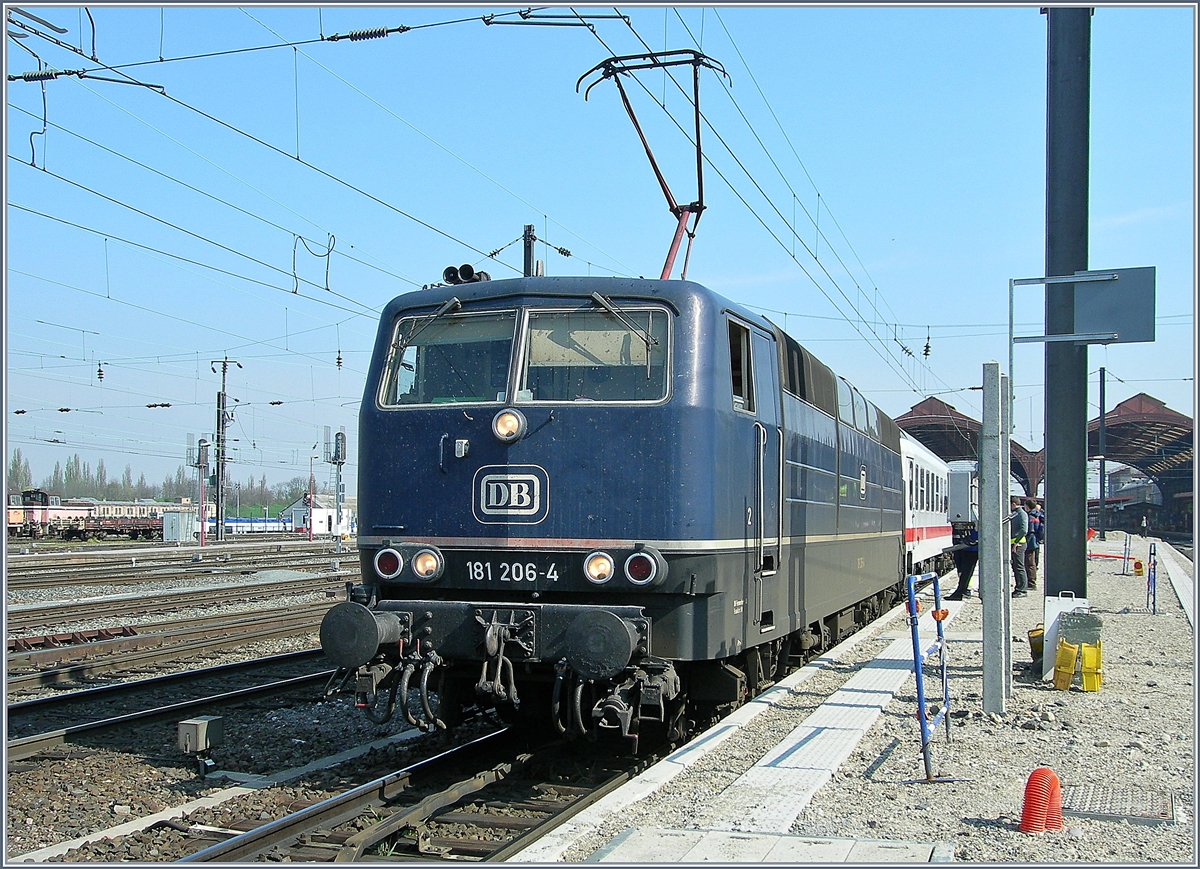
749, 820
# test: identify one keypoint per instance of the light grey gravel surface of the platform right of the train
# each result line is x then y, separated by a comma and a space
1137, 732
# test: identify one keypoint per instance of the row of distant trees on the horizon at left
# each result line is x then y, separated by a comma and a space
77, 480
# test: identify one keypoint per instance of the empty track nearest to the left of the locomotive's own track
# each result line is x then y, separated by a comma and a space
45, 723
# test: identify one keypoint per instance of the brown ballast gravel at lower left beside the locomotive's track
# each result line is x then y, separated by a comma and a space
86, 789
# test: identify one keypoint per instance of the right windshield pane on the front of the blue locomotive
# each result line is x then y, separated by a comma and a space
592, 356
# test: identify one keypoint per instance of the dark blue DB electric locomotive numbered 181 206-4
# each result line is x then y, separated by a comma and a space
607, 502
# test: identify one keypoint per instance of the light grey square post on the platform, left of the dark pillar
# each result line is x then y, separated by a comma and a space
993, 540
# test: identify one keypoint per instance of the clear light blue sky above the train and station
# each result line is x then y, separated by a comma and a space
907, 154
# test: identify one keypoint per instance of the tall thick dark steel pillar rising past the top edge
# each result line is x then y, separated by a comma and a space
1069, 58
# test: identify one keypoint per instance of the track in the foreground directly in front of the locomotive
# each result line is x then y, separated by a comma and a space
482, 801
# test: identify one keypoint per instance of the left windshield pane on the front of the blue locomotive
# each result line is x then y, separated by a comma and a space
454, 359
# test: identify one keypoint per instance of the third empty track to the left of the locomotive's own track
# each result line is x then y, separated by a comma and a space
26, 618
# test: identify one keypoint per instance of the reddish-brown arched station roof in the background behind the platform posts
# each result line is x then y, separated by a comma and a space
1141, 431
